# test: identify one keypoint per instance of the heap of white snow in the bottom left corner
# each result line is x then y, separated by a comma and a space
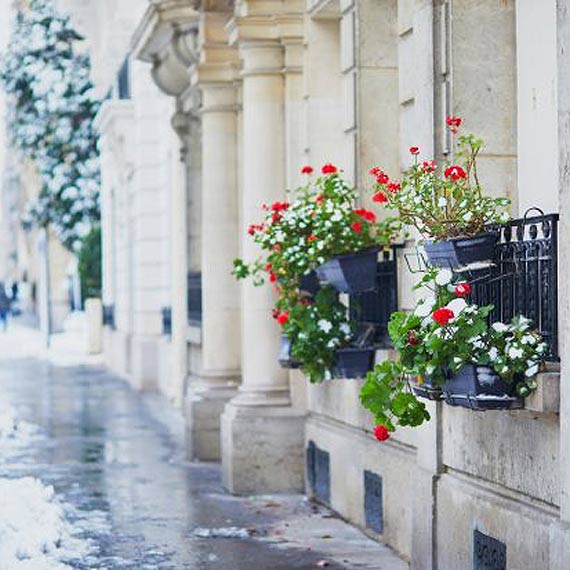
33, 527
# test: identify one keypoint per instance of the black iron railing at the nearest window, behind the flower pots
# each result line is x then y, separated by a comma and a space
524, 278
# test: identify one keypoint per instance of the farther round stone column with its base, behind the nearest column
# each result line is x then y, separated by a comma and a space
215, 383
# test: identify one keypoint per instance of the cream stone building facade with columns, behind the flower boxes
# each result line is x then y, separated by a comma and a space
214, 107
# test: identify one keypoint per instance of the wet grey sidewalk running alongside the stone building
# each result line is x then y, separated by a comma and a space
116, 462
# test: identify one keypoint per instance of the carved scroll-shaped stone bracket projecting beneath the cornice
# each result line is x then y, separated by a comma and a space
166, 37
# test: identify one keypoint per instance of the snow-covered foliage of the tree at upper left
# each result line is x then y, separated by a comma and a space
52, 107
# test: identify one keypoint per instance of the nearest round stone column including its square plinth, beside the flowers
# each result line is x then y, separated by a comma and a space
262, 435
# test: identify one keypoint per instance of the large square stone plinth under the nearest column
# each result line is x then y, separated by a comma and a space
262, 449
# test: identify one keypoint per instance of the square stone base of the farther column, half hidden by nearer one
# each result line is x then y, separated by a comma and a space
204, 404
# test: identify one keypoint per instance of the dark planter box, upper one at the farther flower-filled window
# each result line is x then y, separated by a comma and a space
352, 272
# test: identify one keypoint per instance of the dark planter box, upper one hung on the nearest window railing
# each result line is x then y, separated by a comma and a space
458, 252
